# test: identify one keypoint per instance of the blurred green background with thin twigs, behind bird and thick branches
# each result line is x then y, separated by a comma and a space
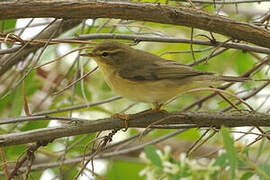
52, 72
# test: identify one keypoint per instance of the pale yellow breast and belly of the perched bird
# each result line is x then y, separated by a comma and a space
155, 92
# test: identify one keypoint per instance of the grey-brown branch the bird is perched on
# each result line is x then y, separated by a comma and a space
175, 119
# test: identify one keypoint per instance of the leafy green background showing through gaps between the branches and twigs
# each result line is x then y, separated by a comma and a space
221, 155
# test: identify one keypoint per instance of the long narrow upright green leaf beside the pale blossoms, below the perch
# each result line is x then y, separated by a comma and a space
231, 151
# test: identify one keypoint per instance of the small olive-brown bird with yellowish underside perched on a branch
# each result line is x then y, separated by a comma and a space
144, 77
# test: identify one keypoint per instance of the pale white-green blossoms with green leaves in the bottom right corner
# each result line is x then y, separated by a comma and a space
227, 165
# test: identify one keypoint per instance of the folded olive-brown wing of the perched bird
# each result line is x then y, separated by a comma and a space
158, 70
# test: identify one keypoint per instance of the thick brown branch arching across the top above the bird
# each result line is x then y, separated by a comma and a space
137, 11
